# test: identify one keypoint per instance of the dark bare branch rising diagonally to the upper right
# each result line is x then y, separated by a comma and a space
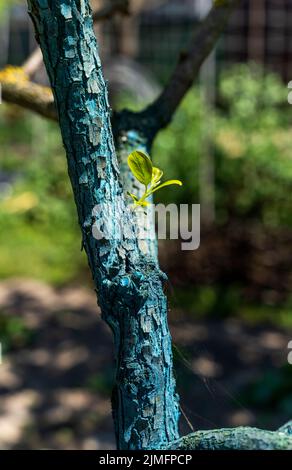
159, 114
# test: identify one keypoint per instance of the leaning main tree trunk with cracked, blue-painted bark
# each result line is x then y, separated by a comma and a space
129, 284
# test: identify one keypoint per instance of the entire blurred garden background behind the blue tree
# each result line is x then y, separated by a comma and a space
230, 300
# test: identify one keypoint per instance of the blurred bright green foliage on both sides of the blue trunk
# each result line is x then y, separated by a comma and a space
253, 173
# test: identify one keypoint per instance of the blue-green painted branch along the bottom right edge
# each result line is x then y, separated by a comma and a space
241, 438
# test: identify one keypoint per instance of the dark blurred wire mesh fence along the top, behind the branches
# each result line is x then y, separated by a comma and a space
158, 31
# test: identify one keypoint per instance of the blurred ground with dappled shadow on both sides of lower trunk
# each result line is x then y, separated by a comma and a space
56, 375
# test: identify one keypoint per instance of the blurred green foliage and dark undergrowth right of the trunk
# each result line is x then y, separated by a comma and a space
250, 144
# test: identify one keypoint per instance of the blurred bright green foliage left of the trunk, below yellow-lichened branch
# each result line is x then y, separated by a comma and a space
39, 232
